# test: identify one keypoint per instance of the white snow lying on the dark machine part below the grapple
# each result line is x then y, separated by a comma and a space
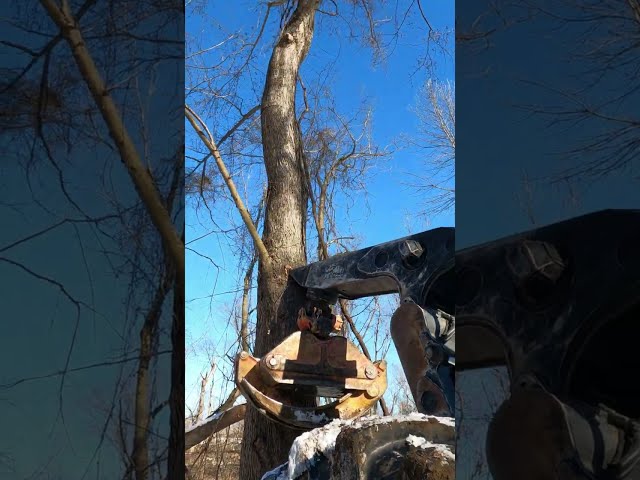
322, 440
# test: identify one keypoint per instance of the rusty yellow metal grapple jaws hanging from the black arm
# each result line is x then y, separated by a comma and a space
302, 368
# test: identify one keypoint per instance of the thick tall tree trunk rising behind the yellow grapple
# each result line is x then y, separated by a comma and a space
266, 444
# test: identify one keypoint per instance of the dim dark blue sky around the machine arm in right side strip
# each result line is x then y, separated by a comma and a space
547, 114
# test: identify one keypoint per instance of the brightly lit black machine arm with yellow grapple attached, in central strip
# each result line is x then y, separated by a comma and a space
317, 363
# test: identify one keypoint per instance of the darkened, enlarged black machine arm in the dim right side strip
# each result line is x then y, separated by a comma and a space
558, 307
